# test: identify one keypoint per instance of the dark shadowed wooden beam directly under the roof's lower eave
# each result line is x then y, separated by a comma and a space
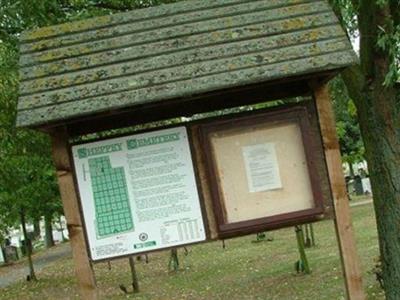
188, 107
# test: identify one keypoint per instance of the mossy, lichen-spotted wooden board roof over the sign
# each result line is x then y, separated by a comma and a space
173, 51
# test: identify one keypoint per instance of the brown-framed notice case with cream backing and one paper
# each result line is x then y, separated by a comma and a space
263, 171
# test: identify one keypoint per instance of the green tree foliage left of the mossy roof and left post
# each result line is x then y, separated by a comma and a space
27, 180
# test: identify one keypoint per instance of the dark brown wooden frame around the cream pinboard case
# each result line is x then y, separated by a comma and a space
295, 114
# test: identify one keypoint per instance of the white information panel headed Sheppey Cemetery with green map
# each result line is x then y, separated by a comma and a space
138, 193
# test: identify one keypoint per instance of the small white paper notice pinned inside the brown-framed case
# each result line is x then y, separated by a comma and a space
262, 167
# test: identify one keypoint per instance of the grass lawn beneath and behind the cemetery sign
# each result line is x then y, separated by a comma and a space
244, 270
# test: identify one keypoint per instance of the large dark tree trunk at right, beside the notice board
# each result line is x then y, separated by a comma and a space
379, 116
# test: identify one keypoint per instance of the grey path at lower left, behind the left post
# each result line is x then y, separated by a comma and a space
18, 271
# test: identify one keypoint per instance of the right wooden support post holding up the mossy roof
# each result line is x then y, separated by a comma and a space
344, 228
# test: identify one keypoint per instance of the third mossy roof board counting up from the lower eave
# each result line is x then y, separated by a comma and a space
178, 58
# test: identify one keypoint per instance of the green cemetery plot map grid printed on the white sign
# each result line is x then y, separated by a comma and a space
110, 194
